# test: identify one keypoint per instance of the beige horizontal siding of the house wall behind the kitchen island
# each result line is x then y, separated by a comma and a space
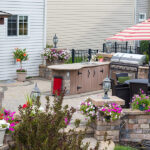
86, 24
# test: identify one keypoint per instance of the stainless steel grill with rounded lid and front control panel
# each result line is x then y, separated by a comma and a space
123, 62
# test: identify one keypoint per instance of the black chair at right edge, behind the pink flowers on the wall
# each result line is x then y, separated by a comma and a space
135, 88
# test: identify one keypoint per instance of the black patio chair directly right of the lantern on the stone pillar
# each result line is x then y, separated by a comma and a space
122, 91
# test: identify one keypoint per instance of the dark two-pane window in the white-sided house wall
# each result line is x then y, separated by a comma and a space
17, 25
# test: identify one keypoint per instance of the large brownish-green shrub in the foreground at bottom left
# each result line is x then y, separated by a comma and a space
45, 130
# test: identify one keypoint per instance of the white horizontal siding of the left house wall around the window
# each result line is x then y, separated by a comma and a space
33, 42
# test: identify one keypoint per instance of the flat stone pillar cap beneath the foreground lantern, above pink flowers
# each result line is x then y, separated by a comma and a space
98, 100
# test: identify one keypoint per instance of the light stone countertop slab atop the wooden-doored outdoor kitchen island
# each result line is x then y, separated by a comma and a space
77, 66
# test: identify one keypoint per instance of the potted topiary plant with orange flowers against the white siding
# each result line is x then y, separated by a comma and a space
20, 55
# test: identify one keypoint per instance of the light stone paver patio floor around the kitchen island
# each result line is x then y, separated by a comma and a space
15, 93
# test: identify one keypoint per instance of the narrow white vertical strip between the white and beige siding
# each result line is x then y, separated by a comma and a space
45, 21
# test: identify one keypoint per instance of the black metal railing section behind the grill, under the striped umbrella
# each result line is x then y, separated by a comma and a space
122, 48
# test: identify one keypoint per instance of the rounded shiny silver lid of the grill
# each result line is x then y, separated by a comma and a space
126, 58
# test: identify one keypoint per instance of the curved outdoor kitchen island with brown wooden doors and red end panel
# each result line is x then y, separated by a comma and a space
79, 77
